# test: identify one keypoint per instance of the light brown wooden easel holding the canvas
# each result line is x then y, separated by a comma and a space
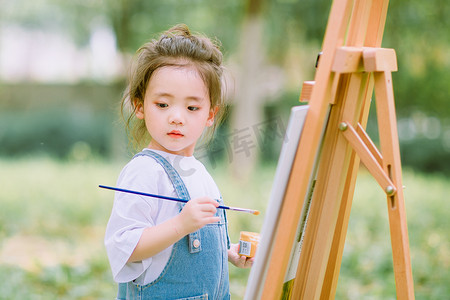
326, 165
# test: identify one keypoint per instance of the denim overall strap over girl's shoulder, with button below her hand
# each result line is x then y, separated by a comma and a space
195, 244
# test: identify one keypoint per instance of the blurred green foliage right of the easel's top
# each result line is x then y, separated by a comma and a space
420, 33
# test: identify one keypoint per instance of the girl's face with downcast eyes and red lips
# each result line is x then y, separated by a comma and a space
176, 109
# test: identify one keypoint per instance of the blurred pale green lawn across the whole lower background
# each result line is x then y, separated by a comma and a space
53, 216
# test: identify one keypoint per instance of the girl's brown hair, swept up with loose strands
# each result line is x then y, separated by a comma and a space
175, 47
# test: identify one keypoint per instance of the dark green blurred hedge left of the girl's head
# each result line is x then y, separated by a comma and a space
55, 131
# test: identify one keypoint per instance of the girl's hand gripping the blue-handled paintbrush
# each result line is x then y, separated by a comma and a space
196, 214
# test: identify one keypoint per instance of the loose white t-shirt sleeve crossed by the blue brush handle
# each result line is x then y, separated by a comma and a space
130, 215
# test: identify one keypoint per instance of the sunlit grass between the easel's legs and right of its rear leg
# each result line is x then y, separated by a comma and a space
367, 271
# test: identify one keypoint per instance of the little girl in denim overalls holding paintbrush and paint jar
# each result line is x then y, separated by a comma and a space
161, 249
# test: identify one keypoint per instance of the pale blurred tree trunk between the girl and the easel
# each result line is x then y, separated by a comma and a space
248, 103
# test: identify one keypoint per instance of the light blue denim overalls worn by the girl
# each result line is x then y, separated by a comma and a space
198, 265
